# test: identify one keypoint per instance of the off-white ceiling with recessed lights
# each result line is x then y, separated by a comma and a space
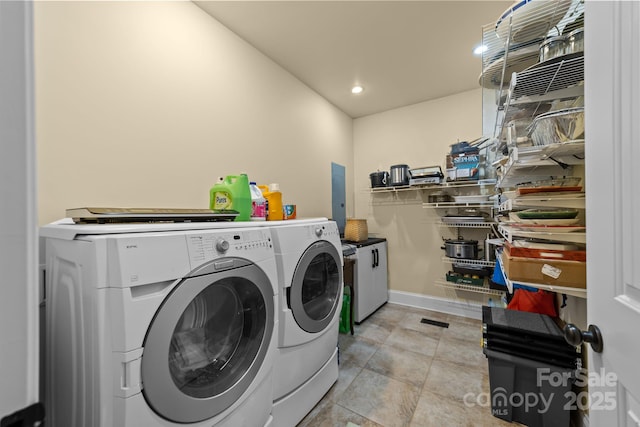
402, 52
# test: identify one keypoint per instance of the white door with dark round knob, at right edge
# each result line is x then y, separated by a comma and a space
612, 100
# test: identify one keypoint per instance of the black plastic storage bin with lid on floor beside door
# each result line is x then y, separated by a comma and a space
531, 367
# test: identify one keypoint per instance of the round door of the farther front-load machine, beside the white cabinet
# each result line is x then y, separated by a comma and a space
316, 287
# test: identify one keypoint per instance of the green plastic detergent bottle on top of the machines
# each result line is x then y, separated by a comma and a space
232, 192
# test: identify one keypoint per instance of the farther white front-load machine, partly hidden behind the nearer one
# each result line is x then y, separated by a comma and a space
309, 260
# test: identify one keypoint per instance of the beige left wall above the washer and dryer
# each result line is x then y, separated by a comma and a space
144, 104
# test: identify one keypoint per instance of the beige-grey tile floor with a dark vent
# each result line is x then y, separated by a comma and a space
396, 371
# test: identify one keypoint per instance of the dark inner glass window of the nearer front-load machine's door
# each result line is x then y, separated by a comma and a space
210, 335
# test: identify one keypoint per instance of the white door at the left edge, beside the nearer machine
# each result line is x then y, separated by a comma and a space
19, 349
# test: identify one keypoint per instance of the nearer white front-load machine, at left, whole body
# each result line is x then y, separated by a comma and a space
159, 328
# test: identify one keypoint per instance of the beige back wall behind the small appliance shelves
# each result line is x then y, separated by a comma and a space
417, 135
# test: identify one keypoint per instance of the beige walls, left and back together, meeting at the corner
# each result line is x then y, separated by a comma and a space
146, 103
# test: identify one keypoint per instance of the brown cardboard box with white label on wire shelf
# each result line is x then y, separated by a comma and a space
571, 274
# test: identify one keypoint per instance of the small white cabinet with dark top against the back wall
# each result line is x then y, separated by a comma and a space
370, 282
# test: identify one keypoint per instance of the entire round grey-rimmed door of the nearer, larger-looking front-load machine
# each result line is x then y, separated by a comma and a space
207, 342
